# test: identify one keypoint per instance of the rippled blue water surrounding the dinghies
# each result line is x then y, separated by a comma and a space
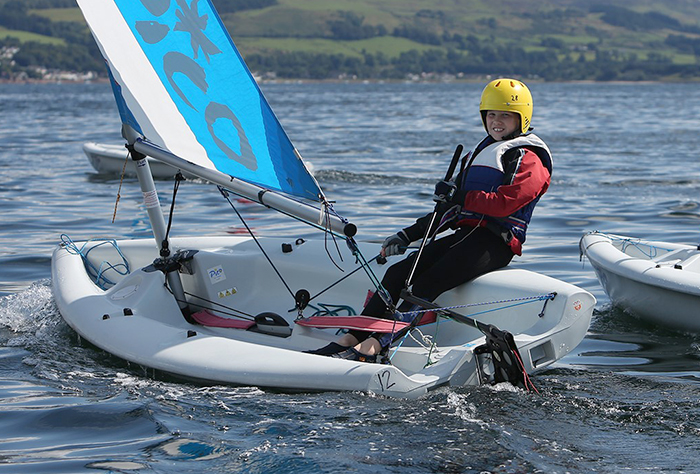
627, 400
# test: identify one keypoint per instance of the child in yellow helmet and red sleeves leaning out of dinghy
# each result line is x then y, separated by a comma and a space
488, 205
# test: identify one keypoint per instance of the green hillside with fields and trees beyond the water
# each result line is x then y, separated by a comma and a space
395, 39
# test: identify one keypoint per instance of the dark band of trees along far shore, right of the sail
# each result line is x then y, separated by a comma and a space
502, 60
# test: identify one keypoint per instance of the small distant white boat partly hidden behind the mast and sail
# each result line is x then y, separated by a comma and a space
114, 160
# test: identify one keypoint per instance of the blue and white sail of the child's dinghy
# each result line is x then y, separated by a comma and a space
181, 83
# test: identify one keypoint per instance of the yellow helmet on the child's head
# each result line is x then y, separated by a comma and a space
507, 95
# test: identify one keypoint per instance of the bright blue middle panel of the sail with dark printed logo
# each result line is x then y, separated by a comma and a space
177, 39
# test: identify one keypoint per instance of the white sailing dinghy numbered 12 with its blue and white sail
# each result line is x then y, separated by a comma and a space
242, 310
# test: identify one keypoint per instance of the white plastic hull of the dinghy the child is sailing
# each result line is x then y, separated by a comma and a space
138, 319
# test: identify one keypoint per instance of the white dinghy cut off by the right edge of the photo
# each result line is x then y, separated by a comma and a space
655, 281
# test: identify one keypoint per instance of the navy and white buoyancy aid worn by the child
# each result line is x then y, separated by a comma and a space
487, 172
